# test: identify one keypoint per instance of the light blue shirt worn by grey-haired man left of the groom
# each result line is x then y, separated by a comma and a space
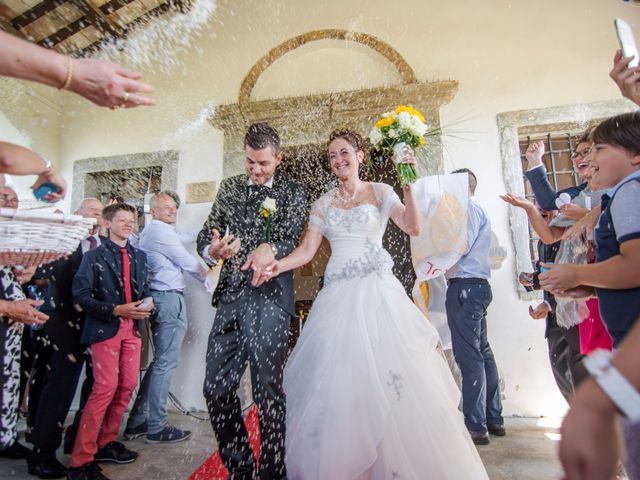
167, 257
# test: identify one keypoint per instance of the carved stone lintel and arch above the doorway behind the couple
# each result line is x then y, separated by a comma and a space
308, 120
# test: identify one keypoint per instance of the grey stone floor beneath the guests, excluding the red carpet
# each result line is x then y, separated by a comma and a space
528, 452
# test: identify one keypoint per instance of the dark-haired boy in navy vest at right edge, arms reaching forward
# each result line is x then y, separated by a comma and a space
616, 273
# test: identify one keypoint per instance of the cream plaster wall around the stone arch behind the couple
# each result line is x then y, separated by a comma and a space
506, 55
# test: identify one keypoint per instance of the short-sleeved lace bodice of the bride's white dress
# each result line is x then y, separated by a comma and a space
355, 234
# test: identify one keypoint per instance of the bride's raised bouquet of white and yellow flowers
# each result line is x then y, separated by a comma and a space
394, 131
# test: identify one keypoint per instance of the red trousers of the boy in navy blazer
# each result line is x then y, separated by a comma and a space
116, 364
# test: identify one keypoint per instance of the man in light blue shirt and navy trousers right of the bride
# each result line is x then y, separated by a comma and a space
468, 297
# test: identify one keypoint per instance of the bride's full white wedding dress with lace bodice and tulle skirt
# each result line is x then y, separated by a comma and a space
368, 394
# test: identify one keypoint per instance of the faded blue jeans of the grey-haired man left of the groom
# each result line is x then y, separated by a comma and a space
168, 330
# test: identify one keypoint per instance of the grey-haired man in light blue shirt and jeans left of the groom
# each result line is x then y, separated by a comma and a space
168, 259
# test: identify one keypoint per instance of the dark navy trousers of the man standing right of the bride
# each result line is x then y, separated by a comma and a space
467, 302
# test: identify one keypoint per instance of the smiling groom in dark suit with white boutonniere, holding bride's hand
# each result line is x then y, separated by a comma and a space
251, 324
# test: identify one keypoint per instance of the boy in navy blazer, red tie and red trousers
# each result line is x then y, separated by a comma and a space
110, 287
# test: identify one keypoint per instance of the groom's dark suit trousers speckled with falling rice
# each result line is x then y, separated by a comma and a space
252, 330
